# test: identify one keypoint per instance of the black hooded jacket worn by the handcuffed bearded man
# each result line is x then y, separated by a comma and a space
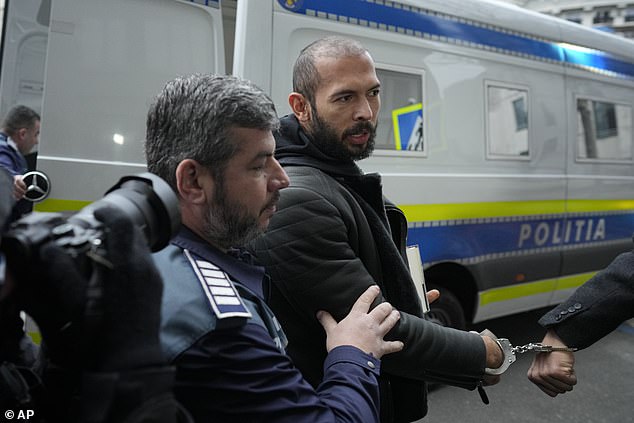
332, 237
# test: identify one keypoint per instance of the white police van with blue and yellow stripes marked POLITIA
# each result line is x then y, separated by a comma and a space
504, 135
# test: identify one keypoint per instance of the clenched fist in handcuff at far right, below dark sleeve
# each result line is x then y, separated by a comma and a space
553, 372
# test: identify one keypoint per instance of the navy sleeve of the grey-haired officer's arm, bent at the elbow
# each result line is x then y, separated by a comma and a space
240, 375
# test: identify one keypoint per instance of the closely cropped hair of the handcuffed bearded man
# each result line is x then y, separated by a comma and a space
305, 76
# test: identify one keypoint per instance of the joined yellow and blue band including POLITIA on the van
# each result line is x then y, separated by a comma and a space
469, 233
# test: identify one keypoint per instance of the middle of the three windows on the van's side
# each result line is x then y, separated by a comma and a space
507, 121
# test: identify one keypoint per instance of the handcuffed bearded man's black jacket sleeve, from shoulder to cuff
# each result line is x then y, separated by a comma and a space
317, 268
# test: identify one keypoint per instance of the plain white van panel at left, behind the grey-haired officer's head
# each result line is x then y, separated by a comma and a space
104, 66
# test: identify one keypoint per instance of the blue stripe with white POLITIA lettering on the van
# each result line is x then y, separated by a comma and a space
477, 238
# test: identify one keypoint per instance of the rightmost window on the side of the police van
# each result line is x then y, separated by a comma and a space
604, 130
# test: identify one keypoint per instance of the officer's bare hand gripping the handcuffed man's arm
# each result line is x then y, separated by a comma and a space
362, 329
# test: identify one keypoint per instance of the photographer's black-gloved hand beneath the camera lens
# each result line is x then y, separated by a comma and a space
132, 298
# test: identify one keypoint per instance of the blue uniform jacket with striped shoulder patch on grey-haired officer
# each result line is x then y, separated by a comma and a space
228, 347
